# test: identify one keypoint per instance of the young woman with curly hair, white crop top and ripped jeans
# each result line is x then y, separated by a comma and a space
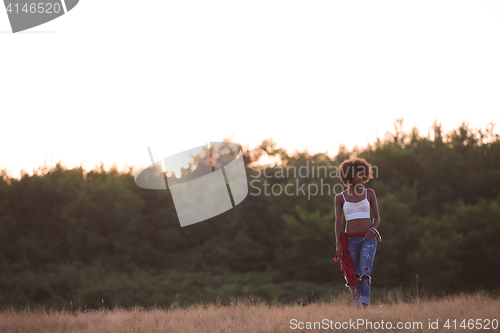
360, 236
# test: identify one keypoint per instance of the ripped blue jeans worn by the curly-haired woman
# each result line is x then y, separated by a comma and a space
362, 253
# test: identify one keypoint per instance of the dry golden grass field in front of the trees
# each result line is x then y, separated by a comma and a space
481, 313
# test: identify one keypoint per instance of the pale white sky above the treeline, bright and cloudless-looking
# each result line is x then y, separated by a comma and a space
112, 77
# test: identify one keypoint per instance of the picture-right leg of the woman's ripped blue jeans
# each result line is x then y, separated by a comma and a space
365, 257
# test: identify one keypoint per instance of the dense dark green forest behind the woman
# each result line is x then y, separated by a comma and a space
75, 239
